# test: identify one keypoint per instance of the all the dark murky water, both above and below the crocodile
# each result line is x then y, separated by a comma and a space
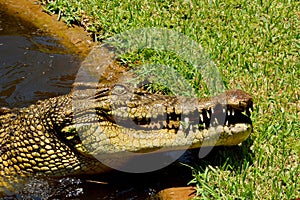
35, 66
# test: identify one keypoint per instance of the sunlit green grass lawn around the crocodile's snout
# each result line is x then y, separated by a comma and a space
256, 46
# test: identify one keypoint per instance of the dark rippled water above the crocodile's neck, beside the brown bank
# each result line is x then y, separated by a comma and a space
32, 66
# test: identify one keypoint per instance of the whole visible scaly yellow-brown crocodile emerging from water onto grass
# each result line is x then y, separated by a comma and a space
50, 138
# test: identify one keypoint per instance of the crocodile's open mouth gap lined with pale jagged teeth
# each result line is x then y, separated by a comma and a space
211, 117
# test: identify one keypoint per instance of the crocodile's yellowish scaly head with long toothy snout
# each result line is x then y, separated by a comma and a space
124, 121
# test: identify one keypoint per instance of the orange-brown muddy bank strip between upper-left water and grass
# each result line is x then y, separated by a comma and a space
74, 38
